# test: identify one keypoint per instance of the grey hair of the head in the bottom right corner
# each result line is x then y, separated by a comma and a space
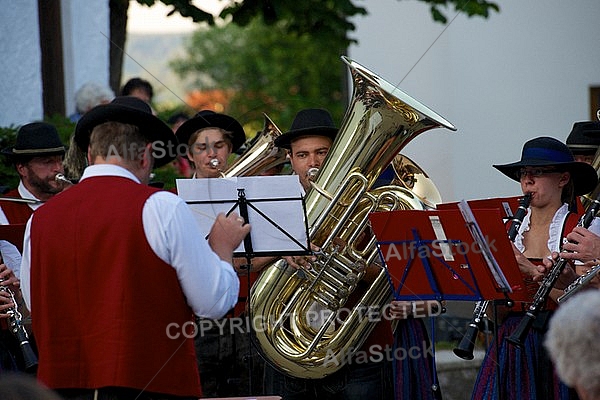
572, 342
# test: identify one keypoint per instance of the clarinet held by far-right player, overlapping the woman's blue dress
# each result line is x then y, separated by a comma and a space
518, 336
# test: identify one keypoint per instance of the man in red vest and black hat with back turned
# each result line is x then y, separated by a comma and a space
113, 269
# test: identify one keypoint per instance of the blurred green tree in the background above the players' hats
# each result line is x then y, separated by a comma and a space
267, 69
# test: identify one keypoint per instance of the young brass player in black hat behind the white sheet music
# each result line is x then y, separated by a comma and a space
227, 363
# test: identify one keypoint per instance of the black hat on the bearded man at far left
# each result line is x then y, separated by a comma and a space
36, 139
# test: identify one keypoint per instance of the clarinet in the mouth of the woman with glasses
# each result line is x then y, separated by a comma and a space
466, 345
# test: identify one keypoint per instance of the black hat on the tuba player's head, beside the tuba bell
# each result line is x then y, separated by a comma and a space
309, 122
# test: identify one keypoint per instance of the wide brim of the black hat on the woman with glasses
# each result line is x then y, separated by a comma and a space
584, 176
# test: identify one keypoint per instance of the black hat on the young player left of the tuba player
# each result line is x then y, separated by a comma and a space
210, 119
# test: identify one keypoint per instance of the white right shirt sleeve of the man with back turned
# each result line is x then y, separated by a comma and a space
210, 284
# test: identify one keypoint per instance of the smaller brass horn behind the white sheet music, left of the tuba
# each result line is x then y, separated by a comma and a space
261, 155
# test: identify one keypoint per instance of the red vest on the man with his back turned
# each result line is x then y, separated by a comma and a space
106, 310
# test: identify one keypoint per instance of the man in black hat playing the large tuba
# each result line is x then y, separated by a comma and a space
308, 142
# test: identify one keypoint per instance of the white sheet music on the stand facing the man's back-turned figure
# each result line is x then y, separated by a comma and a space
279, 198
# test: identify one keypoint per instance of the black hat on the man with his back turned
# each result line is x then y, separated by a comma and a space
133, 111
